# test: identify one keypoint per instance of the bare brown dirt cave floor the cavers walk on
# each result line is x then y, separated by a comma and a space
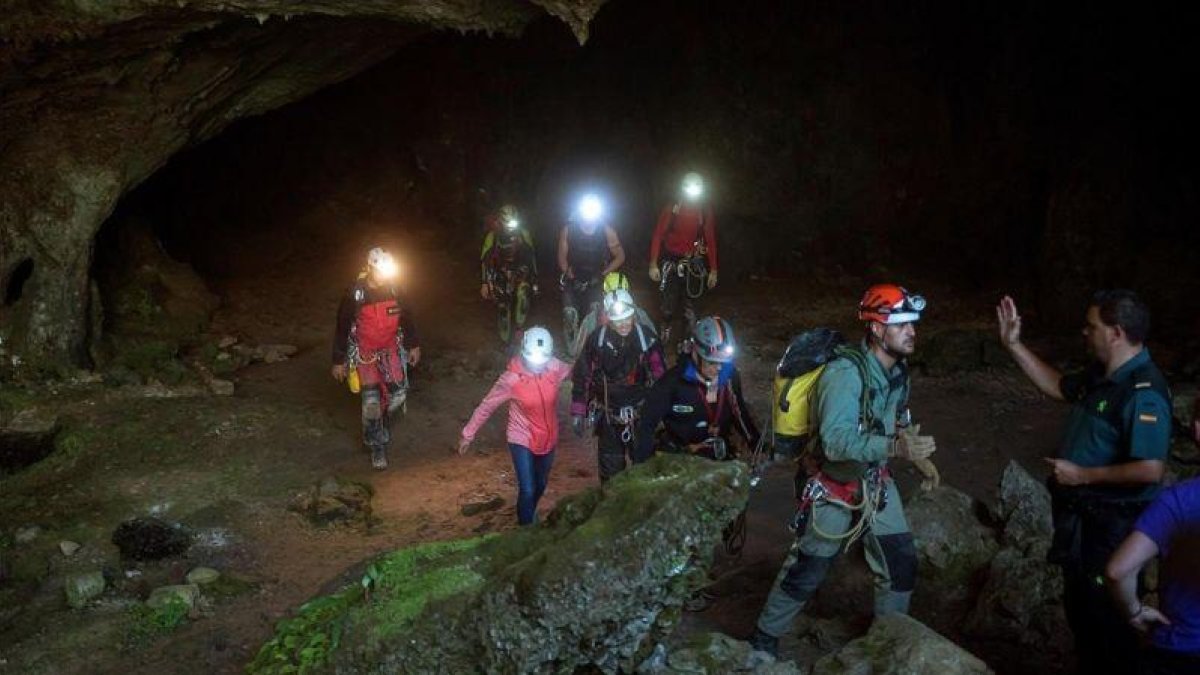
230, 465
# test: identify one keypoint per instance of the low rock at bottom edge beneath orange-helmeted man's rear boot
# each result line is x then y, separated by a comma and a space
715, 654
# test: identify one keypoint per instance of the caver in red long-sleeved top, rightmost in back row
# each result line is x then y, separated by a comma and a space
683, 254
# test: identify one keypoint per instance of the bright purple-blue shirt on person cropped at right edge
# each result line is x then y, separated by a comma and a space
1173, 523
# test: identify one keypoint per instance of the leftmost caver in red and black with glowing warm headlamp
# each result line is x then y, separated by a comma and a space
377, 338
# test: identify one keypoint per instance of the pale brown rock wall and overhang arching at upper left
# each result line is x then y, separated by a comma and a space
98, 97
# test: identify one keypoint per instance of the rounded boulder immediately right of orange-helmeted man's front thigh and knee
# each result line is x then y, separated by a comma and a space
952, 545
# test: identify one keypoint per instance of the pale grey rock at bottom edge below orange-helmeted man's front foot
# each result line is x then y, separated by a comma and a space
901, 646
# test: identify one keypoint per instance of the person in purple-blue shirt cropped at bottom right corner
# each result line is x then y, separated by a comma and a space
1171, 529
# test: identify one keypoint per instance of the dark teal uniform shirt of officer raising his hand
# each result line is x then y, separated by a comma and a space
1100, 435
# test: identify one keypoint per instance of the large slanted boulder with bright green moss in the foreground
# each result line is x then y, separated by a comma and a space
595, 587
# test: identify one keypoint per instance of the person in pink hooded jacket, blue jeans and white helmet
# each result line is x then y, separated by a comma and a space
532, 384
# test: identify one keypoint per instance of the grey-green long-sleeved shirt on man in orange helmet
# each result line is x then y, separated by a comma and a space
844, 443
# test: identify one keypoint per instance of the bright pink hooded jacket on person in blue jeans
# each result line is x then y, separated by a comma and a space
533, 420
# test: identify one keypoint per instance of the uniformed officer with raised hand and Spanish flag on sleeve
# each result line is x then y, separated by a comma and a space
1109, 464
